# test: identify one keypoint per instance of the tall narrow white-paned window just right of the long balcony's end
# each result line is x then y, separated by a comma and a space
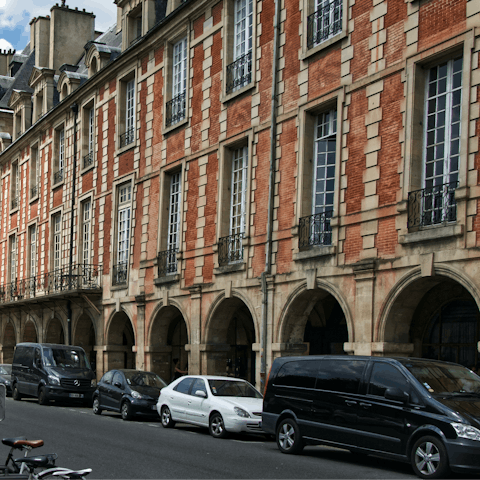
123, 234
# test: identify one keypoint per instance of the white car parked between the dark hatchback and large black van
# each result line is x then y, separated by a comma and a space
223, 404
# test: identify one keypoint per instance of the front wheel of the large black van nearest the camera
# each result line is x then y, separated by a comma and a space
429, 458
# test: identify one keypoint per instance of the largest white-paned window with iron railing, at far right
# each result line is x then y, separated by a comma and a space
435, 202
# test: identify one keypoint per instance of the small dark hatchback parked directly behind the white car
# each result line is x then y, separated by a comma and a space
130, 392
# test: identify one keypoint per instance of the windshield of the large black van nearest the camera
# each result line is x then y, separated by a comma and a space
445, 379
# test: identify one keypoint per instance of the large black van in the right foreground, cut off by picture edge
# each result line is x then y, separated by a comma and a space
421, 411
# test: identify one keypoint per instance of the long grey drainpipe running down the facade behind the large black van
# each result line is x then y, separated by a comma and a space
271, 184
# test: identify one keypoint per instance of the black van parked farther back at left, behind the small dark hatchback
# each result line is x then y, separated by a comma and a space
52, 372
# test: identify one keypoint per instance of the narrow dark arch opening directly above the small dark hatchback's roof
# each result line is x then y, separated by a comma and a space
120, 343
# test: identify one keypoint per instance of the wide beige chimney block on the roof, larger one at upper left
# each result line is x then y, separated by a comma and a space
70, 30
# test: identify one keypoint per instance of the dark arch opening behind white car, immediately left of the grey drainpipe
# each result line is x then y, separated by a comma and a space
230, 340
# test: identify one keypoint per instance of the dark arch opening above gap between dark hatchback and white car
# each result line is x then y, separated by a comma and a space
168, 338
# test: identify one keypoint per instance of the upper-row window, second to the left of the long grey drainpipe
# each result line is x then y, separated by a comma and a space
176, 107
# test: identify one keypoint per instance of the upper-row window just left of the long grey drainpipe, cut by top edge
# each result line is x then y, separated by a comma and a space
239, 72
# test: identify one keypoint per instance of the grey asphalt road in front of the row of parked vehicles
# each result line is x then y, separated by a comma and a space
144, 450
